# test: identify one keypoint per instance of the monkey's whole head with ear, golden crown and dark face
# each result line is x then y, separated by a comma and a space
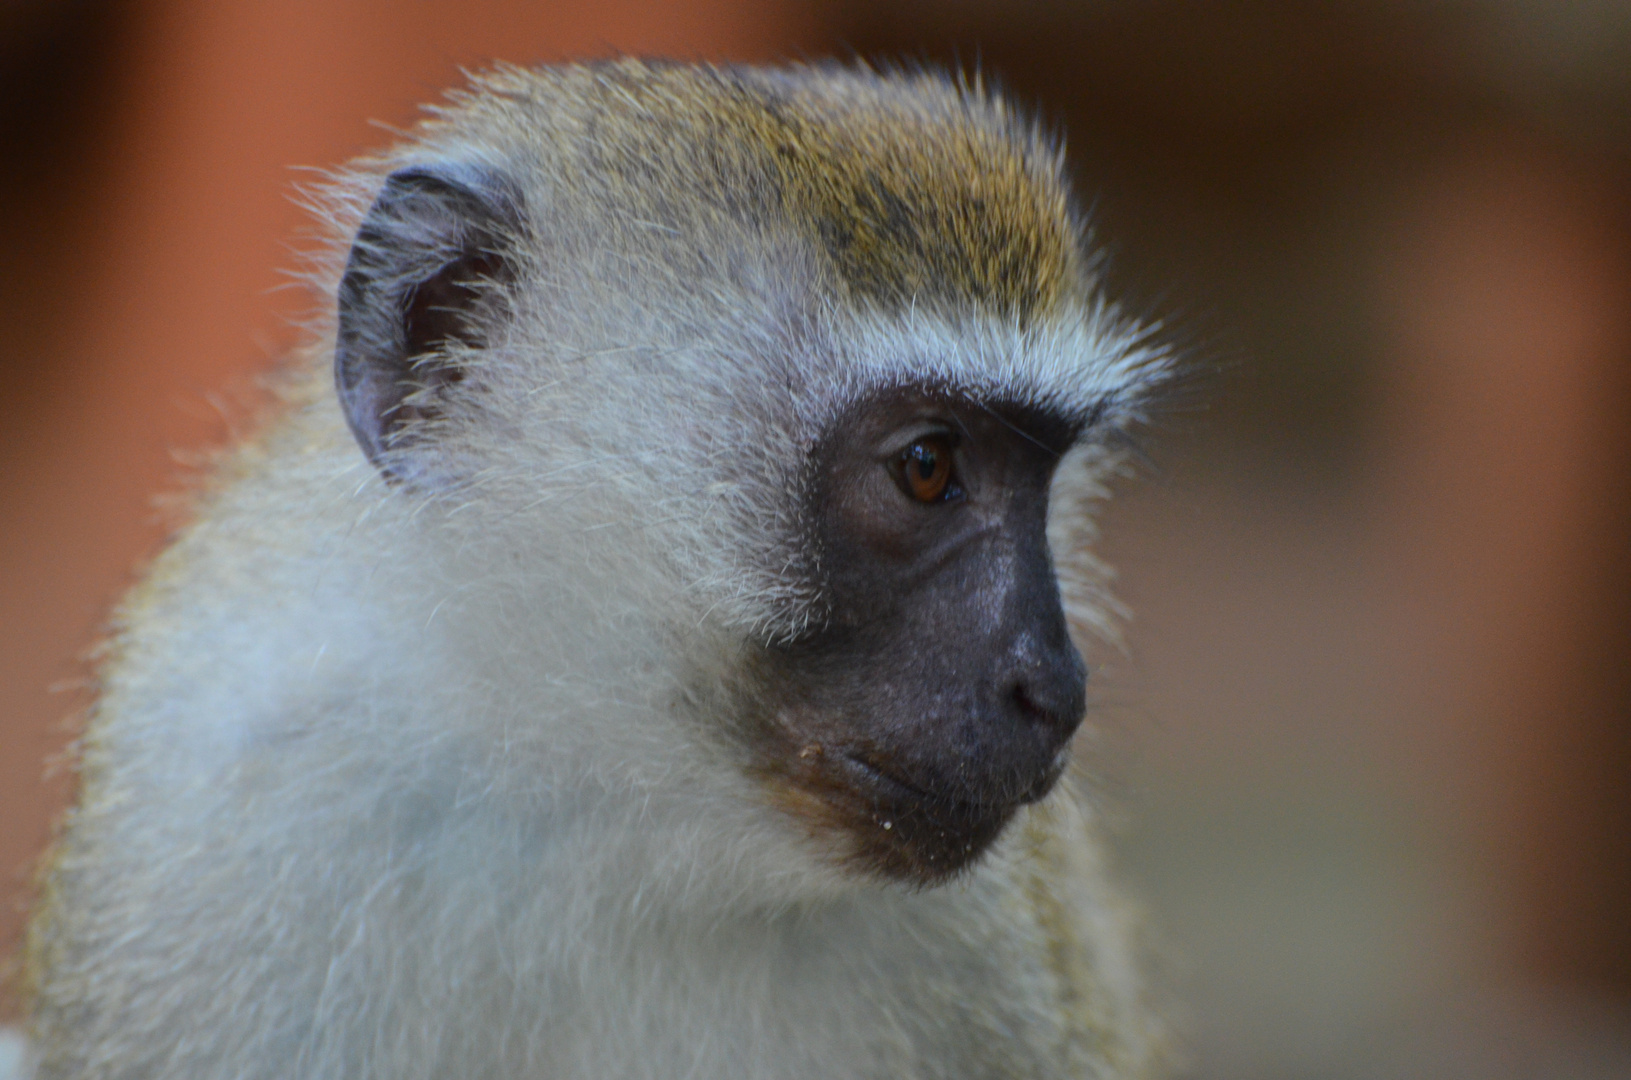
771, 381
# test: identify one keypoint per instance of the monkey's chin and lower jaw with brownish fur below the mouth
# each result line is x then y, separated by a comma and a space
883, 826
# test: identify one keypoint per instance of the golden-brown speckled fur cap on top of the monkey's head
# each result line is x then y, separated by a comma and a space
911, 190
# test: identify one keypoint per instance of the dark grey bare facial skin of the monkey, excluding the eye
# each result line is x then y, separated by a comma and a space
944, 693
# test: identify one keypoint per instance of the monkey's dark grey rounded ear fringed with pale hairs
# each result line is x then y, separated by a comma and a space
420, 278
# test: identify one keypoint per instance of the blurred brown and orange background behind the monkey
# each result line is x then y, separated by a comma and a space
1371, 735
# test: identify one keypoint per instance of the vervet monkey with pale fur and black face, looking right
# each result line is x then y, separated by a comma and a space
650, 663
